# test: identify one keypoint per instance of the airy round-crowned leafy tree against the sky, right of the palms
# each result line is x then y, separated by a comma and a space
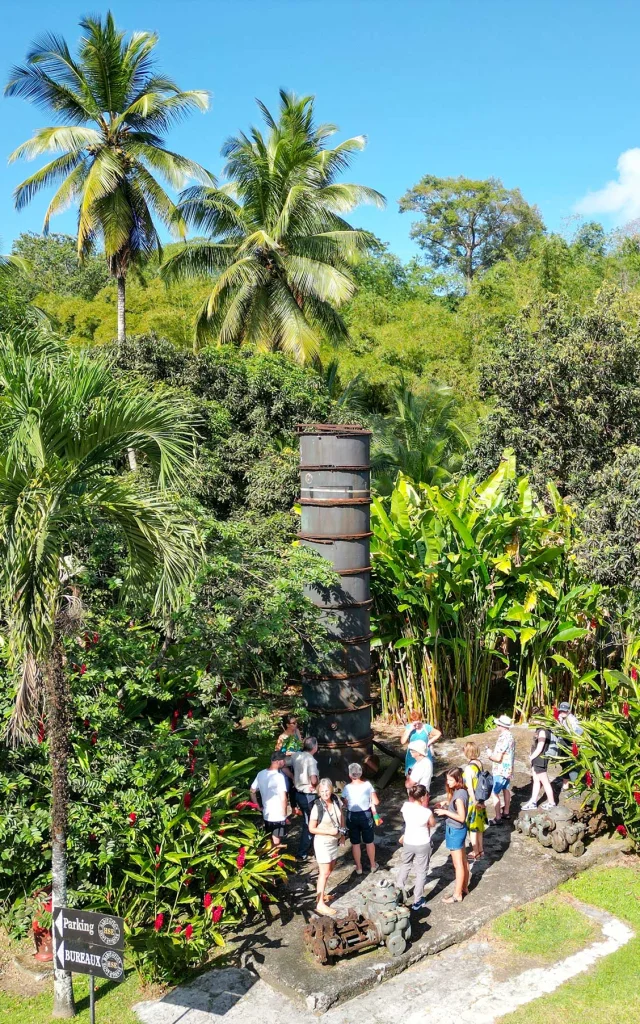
468, 226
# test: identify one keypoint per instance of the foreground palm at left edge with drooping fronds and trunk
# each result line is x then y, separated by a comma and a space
65, 422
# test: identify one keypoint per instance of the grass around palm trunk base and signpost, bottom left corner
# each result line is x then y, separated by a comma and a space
113, 1004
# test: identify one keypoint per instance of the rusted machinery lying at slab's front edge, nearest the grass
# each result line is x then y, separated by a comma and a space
378, 919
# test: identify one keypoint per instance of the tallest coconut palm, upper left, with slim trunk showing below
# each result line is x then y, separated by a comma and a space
114, 110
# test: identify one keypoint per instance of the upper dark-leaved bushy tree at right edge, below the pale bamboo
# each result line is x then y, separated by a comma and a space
564, 385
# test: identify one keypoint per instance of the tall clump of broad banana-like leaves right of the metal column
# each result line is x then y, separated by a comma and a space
467, 576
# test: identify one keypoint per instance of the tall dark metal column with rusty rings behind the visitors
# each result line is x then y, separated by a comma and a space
335, 497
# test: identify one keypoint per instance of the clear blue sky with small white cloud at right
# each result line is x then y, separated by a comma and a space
542, 95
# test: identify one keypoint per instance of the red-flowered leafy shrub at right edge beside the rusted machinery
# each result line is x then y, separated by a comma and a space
609, 754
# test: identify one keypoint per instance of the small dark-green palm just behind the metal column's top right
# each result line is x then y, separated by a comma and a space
420, 439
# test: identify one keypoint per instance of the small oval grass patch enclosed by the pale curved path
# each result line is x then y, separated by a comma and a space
549, 929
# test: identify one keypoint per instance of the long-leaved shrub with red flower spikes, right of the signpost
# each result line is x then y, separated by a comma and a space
196, 862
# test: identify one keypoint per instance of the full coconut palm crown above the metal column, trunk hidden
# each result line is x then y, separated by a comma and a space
277, 245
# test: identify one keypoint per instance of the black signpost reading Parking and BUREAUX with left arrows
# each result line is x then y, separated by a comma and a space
90, 944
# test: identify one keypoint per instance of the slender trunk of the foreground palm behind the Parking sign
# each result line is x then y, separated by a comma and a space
59, 716
